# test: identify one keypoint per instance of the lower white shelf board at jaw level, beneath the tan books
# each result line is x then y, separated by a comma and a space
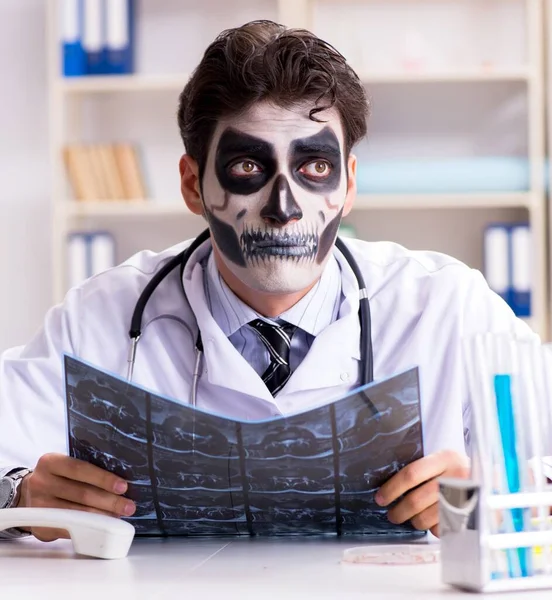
155, 208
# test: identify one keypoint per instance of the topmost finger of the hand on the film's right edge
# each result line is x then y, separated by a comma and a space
412, 476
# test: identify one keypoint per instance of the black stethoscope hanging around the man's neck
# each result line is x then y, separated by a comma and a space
181, 259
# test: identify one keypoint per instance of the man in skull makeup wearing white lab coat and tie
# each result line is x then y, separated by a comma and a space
268, 119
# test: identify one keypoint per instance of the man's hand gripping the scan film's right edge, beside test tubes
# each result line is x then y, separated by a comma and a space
420, 506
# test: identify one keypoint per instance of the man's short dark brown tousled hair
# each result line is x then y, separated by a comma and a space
263, 60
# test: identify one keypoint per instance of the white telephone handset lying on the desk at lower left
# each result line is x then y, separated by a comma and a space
92, 534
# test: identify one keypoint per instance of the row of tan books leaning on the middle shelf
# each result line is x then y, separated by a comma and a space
104, 172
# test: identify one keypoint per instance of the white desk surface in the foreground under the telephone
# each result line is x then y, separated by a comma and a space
239, 569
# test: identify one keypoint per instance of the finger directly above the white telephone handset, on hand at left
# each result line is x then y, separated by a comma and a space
85, 495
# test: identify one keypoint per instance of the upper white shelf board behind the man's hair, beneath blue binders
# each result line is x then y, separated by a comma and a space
176, 82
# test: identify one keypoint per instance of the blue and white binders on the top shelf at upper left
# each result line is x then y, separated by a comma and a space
97, 37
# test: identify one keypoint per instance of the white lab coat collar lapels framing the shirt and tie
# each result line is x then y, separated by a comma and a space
330, 356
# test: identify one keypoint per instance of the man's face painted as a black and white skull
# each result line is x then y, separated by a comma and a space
274, 188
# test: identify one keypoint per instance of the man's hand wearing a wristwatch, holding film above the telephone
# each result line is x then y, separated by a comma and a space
59, 481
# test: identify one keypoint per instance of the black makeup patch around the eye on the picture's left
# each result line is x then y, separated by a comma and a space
244, 163
